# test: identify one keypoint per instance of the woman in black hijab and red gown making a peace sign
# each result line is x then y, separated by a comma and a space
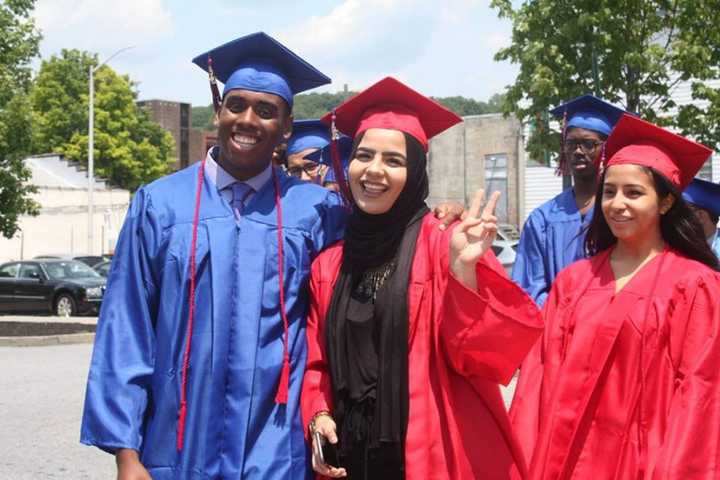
411, 328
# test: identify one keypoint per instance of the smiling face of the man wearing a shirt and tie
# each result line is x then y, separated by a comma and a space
250, 126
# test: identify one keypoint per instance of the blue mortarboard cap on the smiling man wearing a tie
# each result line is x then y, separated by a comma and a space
259, 63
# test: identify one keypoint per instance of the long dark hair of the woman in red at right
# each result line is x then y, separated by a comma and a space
679, 226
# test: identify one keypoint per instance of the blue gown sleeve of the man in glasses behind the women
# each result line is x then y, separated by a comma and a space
529, 270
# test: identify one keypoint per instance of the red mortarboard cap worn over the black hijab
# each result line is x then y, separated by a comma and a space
393, 105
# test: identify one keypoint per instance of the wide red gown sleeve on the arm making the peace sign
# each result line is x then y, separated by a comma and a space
487, 333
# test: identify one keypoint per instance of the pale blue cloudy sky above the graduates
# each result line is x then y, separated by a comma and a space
439, 47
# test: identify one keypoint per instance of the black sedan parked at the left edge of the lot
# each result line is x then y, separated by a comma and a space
62, 287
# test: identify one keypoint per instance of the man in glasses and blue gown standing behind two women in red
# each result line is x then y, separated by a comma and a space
554, 233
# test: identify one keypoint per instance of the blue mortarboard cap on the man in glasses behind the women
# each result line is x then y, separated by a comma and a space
589, 112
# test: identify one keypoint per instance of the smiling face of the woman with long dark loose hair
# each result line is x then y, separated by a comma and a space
631, 205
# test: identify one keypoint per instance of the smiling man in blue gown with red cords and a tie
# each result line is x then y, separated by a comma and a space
181, 399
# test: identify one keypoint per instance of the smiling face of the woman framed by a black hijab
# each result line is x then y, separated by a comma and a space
378, 170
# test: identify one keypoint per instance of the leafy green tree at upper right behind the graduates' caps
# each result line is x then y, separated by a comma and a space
632, 52
